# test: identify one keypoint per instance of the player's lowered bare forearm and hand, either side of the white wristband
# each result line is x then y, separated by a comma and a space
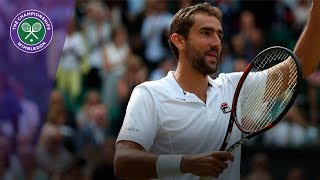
133, 162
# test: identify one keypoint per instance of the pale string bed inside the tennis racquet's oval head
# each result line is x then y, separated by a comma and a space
267, 90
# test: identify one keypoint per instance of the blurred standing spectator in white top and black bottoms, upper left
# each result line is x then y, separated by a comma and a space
97, 32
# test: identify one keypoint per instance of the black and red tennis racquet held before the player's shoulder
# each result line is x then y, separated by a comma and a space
265, 92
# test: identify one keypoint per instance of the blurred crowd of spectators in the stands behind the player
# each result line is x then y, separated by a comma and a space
112, 46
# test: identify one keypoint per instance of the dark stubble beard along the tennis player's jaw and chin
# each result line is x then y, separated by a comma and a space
197, 59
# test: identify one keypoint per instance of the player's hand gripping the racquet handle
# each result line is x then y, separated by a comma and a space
208, 164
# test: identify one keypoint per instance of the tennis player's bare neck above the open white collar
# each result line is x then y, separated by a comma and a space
192, 82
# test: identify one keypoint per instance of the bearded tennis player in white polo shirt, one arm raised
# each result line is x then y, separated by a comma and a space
174, 127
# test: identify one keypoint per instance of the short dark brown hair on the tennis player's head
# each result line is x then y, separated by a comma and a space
184, 19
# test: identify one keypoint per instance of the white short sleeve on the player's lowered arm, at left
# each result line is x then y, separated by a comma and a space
140, 122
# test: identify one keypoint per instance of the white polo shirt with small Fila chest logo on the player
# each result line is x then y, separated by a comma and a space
165, 120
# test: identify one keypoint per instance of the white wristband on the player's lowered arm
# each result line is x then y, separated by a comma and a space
168, 165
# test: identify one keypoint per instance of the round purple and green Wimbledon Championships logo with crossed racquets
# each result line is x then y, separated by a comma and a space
31, 31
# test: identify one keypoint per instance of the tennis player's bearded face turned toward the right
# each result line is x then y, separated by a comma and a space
204, 44
